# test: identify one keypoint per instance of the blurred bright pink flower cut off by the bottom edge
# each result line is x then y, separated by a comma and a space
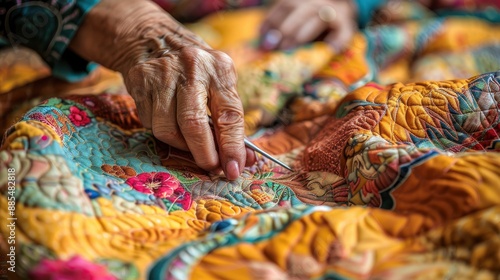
74, 268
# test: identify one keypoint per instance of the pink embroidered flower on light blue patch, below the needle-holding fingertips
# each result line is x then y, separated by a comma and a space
160, 184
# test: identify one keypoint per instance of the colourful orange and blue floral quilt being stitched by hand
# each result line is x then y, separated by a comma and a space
394, 144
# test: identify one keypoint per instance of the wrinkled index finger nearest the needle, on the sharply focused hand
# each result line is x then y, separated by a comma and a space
227, 116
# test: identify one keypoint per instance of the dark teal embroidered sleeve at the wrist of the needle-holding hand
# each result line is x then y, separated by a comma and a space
47, 27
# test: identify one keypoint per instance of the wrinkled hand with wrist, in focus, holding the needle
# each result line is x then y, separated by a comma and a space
174, 78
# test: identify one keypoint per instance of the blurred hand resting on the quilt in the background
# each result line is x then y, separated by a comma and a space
291, 23
